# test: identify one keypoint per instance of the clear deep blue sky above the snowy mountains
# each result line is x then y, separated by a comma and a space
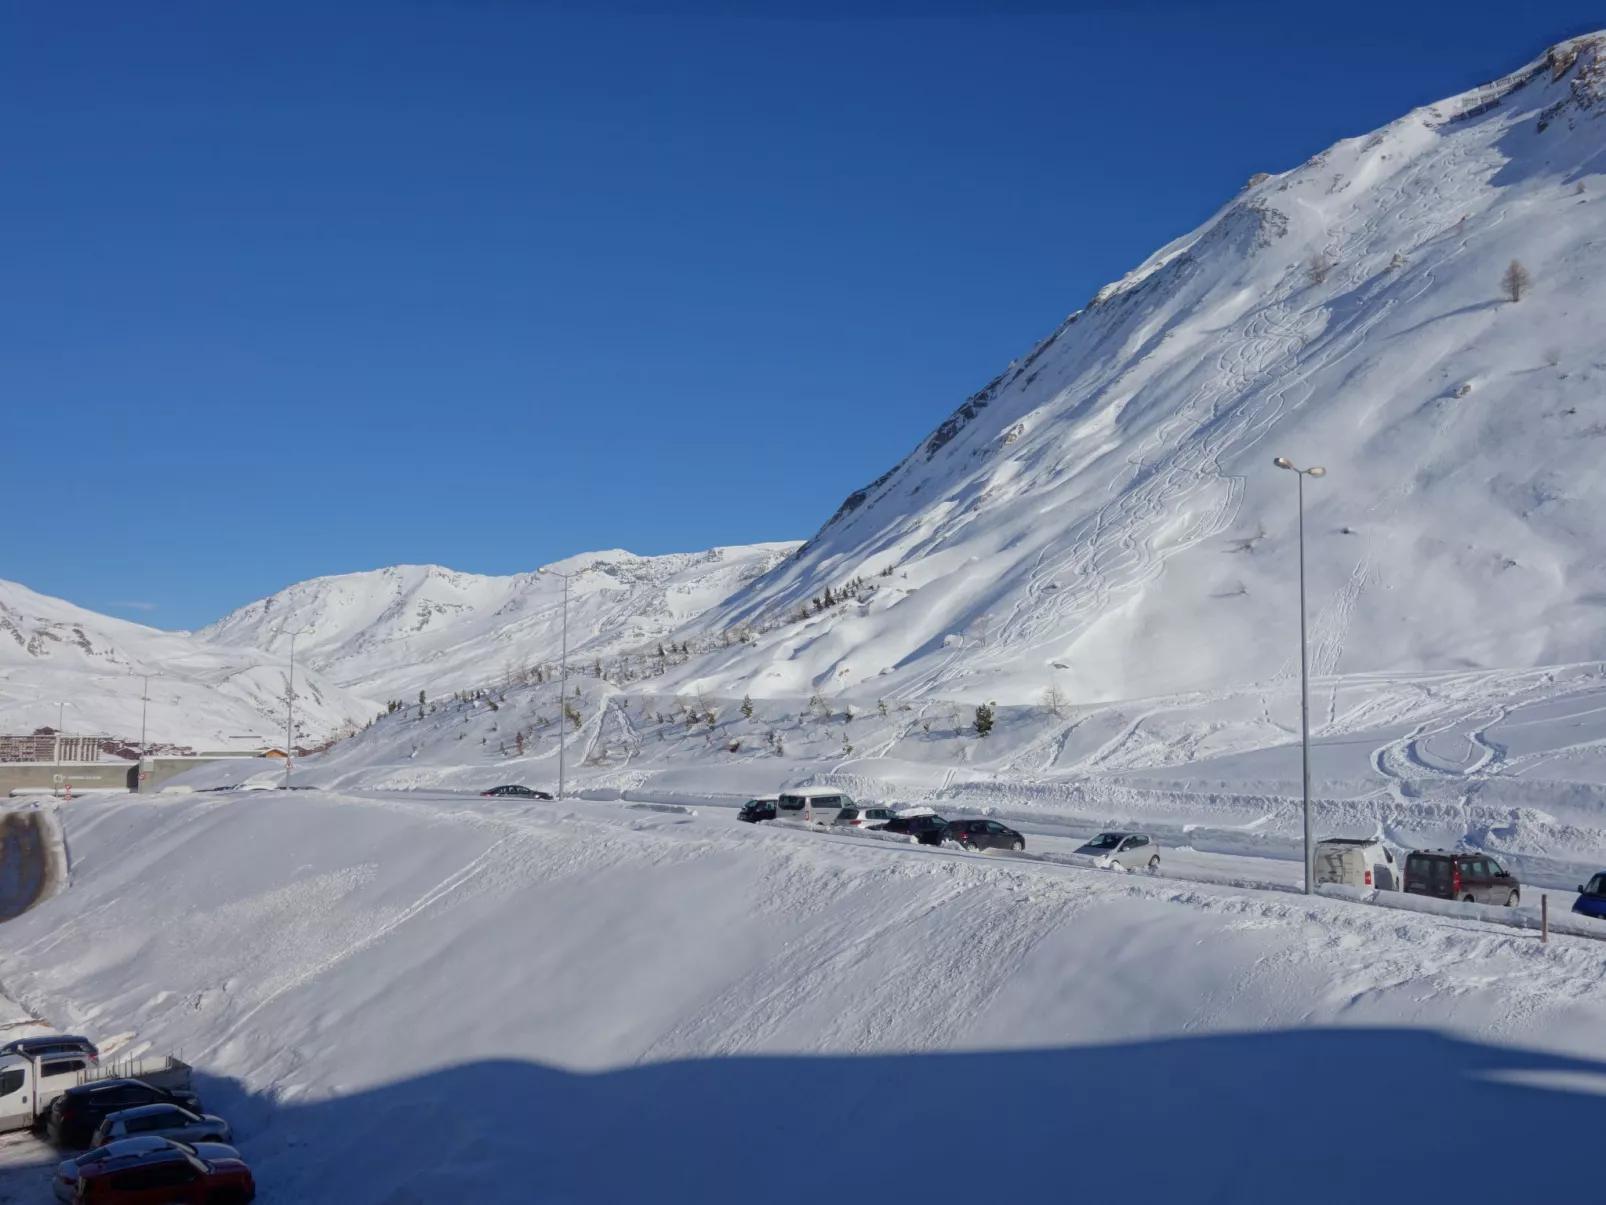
308, 288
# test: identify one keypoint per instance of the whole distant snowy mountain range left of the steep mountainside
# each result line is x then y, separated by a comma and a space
362, 639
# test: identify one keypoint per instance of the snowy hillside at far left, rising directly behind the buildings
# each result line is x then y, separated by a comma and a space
208, 695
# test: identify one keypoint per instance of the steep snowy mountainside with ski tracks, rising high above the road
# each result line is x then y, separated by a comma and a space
1106, 515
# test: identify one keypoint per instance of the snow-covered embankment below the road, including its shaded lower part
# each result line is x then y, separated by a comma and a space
433, 999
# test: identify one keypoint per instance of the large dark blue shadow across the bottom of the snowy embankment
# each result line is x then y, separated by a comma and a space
1311, 1116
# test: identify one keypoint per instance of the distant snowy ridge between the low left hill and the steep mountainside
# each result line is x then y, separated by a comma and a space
394, 632
